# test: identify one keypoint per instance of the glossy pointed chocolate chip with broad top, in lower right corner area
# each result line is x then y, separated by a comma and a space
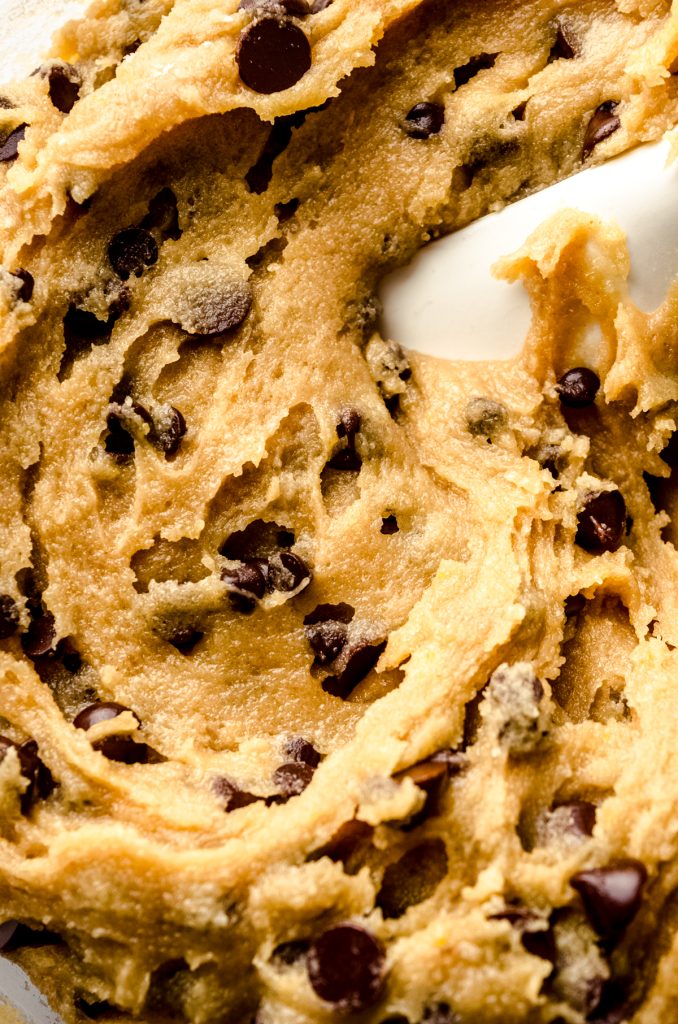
612, 895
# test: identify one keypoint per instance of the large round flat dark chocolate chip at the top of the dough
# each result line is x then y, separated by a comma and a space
273, 55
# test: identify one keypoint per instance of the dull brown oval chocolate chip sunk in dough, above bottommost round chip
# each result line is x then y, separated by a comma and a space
413, 879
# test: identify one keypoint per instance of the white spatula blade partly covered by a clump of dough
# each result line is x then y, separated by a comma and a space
447, 303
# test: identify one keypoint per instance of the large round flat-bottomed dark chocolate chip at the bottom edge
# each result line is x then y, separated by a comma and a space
347, 968
